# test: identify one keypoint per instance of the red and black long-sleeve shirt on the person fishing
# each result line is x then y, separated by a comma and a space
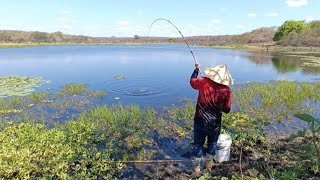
212, 99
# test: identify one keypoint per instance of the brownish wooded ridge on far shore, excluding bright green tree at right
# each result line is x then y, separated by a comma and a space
258, 36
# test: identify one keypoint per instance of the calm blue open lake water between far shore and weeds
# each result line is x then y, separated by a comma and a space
155, 75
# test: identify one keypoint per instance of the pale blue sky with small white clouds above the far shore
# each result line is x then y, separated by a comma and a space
126, 18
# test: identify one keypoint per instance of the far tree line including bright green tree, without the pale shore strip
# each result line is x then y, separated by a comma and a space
290, 33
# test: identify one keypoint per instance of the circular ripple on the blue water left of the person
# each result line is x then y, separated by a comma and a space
137, 87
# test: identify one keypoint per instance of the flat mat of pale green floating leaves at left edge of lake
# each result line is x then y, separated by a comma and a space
19, 86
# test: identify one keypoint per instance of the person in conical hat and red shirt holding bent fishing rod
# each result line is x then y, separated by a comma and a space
214, 97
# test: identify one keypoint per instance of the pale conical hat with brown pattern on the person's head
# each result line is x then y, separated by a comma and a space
219, 74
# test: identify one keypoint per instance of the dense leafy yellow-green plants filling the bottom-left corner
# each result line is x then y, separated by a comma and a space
63, 153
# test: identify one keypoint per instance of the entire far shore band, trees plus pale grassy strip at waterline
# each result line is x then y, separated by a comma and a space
290, 36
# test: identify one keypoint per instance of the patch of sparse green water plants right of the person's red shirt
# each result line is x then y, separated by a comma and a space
277, 100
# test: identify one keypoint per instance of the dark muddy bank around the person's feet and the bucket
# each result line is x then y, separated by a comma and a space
286, 153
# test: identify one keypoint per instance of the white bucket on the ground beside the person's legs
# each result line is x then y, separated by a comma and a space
223, 148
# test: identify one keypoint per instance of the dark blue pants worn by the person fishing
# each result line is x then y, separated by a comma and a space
201, 131
